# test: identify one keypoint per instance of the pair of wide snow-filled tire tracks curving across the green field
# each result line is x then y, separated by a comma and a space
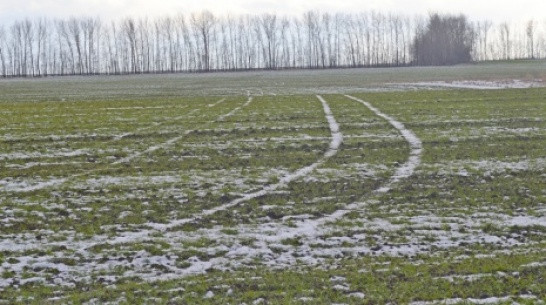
308, 229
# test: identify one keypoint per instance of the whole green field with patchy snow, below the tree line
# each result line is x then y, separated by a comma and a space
400, 186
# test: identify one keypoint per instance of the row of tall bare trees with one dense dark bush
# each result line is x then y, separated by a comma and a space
205, 42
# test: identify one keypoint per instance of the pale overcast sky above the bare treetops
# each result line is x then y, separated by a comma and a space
496, 10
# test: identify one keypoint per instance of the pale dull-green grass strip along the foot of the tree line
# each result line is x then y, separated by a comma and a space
170, 87
